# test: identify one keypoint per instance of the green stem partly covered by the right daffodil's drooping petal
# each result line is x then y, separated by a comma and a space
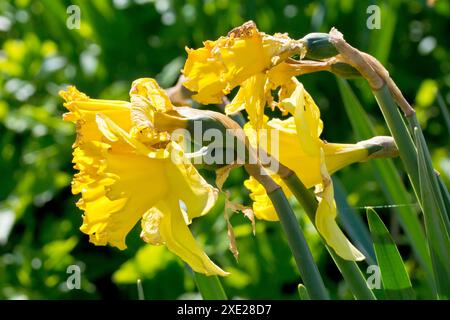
349, 269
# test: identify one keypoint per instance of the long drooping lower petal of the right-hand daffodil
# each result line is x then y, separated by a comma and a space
326, 220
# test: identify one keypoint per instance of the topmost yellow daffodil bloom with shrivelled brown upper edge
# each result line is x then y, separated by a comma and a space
246, 57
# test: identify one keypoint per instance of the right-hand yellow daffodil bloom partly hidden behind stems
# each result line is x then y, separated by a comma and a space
312, 159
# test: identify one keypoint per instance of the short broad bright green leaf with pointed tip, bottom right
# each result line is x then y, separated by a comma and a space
395, 279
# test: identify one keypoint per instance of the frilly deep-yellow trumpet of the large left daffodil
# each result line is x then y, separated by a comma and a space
117, 189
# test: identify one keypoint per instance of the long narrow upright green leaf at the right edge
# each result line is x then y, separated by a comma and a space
437, 234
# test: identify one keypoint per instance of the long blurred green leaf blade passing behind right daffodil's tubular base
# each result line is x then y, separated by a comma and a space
389, 180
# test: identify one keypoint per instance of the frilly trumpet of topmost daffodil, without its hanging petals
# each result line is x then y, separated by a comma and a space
221, 65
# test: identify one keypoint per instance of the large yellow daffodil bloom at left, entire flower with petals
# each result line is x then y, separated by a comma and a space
130, 170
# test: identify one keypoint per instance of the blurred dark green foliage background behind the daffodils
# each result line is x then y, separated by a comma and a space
122, 40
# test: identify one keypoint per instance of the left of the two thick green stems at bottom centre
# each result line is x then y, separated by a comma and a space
297, 242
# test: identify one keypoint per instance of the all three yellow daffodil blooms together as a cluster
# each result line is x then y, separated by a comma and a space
131, 169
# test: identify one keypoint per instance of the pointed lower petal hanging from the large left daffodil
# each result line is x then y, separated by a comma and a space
165, 224
